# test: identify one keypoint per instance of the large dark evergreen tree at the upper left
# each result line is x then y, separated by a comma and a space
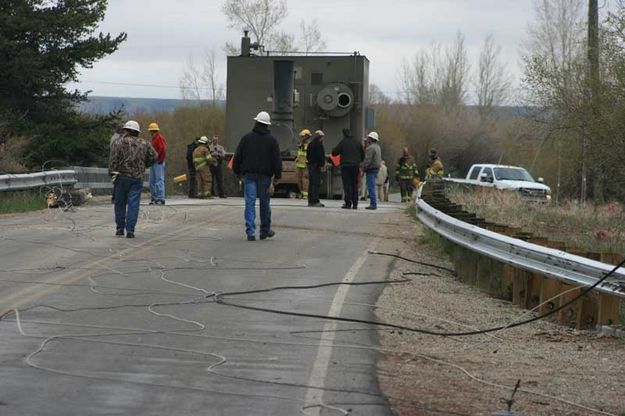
43, 45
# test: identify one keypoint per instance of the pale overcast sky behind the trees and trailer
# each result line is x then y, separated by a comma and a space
162, 34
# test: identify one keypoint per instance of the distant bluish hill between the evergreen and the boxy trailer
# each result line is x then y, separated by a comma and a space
104, 105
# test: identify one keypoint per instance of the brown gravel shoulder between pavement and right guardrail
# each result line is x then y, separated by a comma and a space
562, 371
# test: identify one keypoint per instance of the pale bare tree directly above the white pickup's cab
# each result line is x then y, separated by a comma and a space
492, 83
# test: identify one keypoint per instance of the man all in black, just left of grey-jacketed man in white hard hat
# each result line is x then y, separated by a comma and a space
352, 155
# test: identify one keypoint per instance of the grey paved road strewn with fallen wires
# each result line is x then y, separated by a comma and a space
99, 325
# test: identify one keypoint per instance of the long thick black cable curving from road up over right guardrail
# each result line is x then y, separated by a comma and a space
221, 301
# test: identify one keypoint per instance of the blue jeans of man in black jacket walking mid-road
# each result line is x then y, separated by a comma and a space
257, 186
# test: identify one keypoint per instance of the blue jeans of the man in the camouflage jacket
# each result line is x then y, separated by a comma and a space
127, 199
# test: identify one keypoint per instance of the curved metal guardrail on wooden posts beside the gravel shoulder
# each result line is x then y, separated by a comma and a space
550, 262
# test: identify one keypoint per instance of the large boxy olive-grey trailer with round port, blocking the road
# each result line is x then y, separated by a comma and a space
321, 91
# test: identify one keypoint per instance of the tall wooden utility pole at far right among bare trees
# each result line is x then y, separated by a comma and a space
593, 80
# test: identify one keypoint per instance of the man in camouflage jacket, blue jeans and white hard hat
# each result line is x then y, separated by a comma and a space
130, 155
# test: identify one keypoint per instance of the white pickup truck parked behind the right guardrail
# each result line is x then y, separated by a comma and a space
508, 178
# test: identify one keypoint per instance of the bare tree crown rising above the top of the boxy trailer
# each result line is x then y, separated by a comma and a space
260, 17
